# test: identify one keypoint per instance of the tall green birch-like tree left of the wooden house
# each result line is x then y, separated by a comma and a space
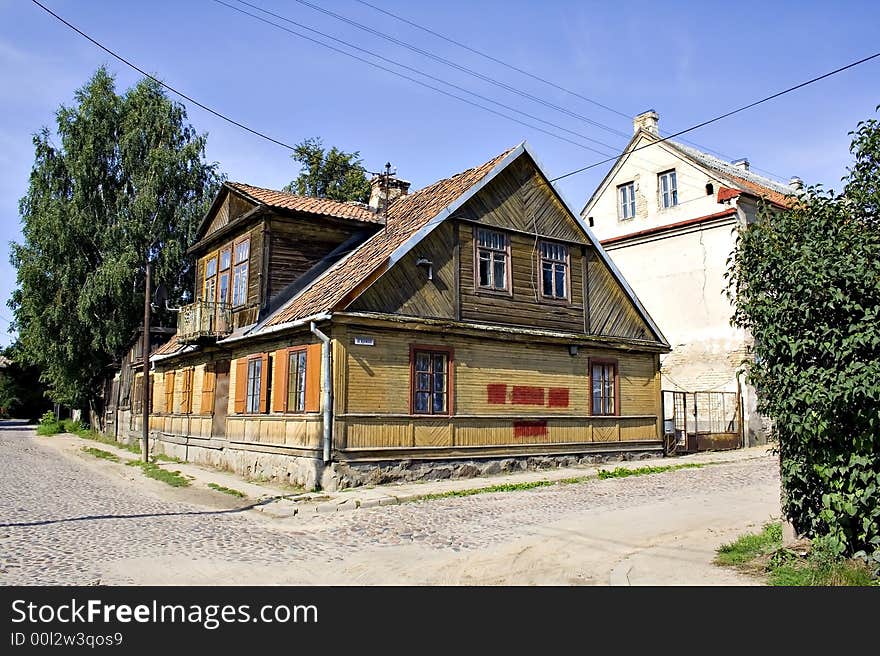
127, 181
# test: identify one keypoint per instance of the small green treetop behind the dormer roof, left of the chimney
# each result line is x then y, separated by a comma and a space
334, 174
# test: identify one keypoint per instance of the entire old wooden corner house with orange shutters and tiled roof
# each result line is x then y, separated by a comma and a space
475, 325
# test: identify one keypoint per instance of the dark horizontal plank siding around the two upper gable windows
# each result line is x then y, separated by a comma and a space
525, 306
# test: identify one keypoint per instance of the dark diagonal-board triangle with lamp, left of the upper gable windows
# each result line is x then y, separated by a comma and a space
405, 289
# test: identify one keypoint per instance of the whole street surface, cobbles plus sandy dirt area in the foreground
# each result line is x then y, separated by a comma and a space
65, 521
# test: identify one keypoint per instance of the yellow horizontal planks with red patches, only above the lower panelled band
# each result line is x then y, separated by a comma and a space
377, 378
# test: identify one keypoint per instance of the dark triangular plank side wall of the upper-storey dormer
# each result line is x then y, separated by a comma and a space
296, 245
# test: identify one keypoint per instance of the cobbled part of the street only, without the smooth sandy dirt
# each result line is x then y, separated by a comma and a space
61, 522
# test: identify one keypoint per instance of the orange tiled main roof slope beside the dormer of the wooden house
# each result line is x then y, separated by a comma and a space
406, 216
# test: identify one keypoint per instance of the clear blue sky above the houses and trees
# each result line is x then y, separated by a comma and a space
688, 60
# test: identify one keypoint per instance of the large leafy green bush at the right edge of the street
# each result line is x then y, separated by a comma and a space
806, 283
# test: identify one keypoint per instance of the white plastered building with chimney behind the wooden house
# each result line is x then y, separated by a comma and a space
667, 215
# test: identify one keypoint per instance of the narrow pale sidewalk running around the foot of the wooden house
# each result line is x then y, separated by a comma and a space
274, 500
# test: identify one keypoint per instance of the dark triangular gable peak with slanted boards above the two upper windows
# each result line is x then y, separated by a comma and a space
520, 199
